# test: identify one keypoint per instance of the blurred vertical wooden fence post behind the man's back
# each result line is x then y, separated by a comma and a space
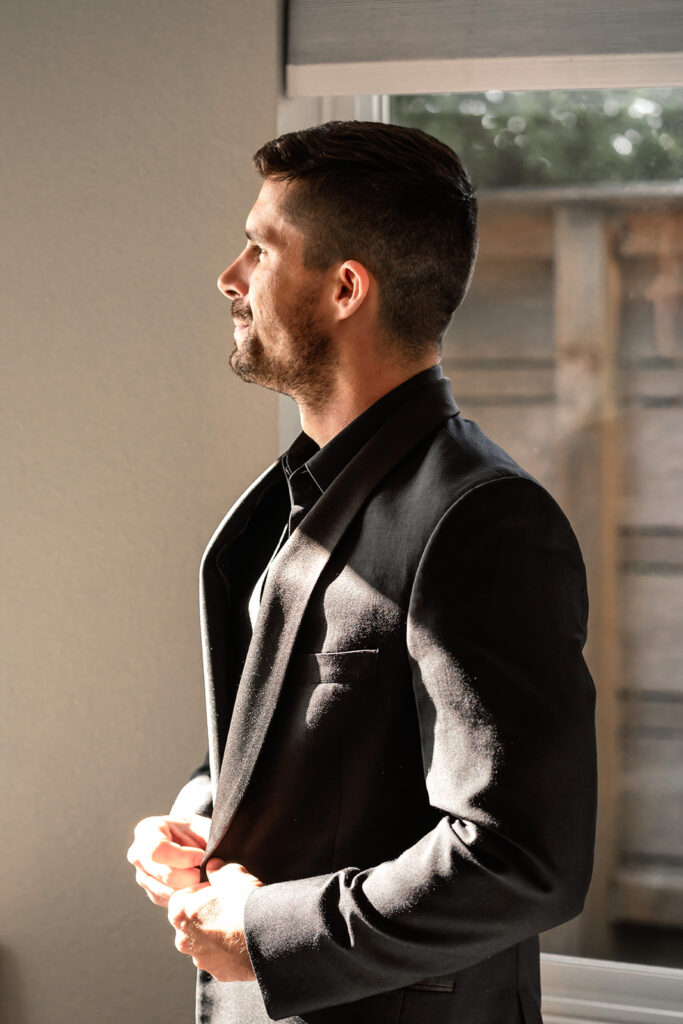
587, 302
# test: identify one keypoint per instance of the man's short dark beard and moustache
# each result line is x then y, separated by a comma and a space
305, 373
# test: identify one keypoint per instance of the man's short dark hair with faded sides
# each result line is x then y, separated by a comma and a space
396, 199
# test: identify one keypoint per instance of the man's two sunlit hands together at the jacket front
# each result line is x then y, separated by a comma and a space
208, 917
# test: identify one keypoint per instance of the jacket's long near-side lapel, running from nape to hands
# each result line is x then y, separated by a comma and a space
292, 579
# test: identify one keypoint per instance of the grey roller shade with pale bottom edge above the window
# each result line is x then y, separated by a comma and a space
345, 48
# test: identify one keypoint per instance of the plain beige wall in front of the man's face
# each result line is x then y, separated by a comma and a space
125, 437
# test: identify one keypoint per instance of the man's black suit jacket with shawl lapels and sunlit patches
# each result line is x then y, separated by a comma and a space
404, 751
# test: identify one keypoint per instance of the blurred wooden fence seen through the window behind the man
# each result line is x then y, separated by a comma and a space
569, 353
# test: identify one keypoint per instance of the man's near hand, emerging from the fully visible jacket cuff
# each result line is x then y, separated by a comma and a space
209, 922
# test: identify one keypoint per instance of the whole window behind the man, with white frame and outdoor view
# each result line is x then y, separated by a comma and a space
570, 353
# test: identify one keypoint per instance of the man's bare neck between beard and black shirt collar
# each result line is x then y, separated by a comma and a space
352, 395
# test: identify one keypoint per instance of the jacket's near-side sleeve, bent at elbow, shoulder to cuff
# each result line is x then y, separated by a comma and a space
495, 633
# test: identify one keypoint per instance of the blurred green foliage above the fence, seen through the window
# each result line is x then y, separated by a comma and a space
559, 138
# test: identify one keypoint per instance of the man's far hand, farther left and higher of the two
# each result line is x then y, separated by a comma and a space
166, 855
